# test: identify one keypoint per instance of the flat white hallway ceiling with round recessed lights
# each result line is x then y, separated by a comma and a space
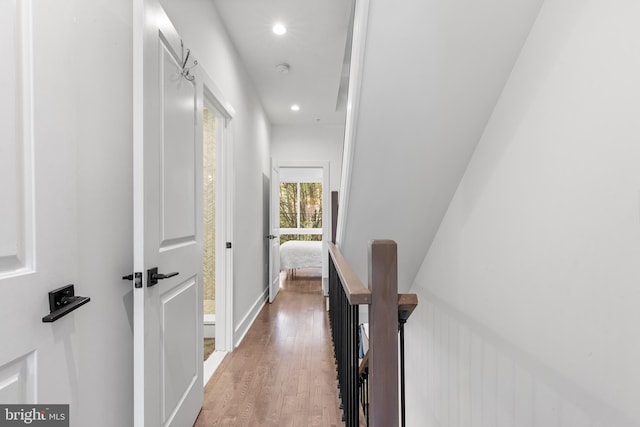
314, 47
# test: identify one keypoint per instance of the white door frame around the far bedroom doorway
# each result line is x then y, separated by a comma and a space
326, 207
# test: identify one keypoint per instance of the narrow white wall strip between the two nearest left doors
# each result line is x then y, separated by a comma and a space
101, 75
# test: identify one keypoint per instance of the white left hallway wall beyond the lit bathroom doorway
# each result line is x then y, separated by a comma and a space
199, 24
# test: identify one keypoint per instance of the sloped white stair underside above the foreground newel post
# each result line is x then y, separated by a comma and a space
433, 71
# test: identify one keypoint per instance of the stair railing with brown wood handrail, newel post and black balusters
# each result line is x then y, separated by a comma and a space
346, 294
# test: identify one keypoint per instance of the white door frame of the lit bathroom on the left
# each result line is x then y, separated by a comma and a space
225, 203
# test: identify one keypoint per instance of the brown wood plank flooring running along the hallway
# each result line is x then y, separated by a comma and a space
283, 372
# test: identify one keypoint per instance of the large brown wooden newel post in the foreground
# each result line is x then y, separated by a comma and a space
383, 333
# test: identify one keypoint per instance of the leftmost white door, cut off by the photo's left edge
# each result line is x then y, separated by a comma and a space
38, 227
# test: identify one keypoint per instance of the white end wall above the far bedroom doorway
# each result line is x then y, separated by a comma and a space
310, 143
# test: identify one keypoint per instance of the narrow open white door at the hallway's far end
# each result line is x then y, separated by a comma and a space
274, 236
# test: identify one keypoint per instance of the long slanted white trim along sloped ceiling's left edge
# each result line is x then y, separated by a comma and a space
360, 20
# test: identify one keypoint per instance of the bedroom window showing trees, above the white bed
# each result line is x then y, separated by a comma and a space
300, 211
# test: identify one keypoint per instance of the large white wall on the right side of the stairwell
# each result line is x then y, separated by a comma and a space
529, 294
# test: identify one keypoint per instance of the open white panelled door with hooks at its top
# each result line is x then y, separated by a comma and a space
168, 336
